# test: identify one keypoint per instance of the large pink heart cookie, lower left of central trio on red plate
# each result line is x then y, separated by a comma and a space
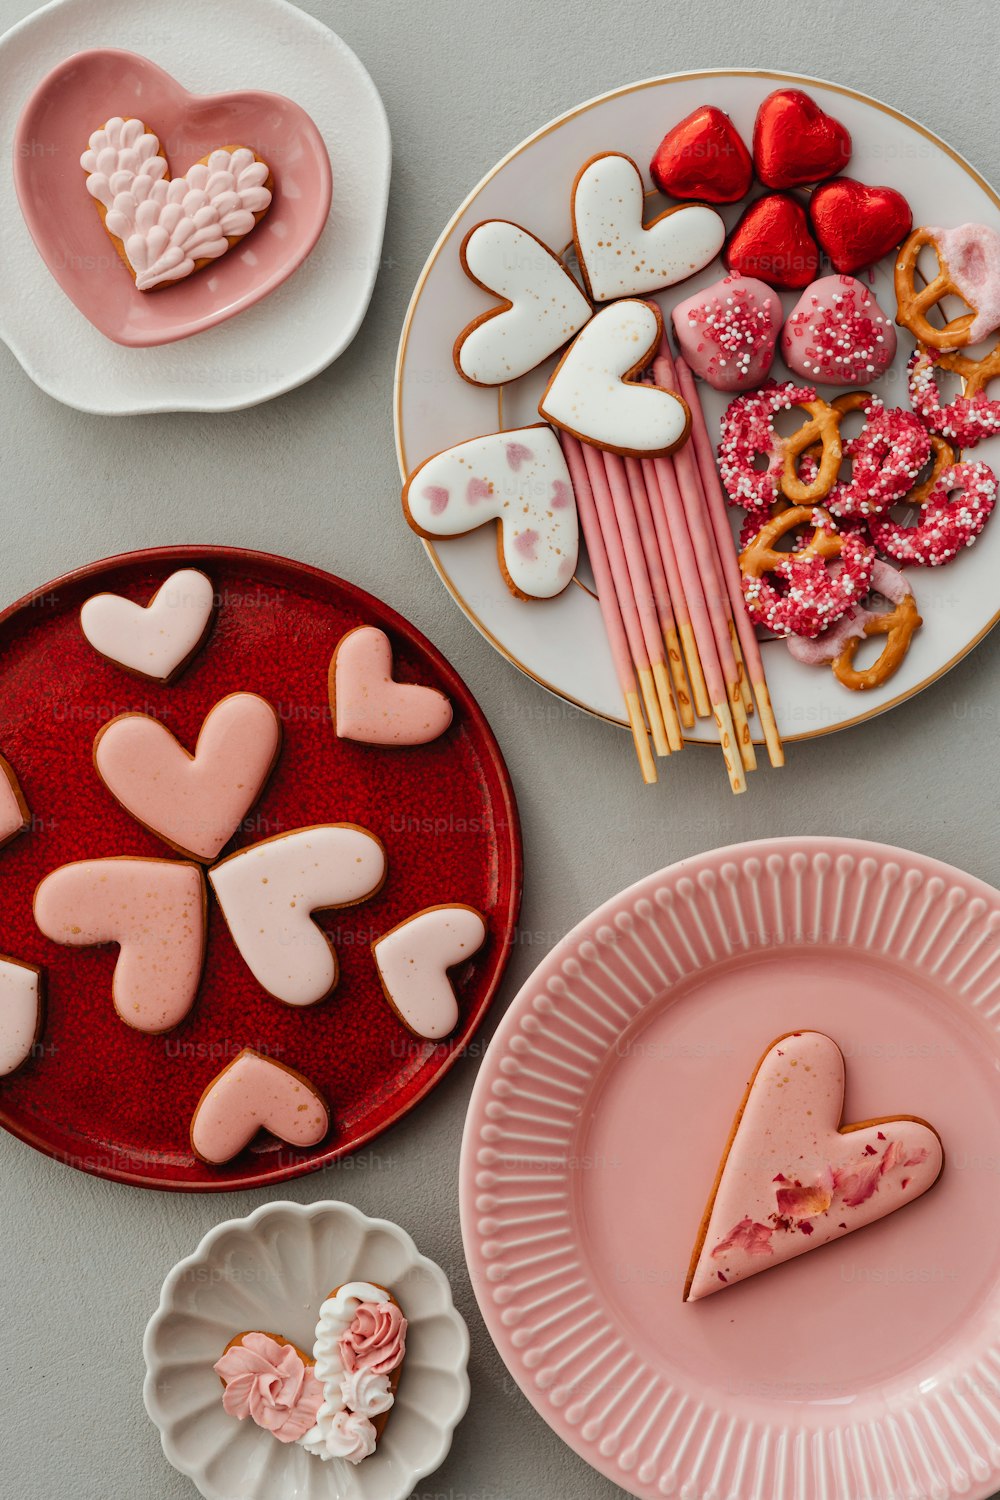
155, 910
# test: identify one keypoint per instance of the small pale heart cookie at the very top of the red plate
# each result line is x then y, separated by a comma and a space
155, 641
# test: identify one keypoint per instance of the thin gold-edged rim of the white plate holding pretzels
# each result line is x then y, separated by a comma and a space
873, 712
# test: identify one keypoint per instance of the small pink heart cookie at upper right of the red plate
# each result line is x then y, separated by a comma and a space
371, 706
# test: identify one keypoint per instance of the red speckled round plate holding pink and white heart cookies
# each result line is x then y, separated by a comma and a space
118, 1103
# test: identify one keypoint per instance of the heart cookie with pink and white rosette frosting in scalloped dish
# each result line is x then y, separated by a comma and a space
335, 1402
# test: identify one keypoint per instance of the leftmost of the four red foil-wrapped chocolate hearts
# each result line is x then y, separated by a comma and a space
704, 158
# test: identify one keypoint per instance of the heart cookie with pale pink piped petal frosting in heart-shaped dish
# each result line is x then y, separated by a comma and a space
169, 227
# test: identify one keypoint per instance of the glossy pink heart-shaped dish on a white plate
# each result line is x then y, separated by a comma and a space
53, 131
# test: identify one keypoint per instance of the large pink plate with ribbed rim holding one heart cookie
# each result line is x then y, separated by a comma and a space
866, 1372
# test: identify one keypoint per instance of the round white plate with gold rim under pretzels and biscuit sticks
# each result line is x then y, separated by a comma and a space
561, 644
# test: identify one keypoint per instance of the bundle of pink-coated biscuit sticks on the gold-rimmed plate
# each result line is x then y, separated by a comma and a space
668, 578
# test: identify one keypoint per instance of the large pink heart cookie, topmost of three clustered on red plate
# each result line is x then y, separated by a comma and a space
193, 803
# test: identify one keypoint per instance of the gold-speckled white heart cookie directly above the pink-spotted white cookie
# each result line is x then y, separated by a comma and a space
540, 310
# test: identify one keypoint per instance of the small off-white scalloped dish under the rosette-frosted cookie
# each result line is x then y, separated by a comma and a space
272, 1271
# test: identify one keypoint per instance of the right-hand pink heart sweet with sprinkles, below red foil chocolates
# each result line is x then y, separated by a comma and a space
839, 335
